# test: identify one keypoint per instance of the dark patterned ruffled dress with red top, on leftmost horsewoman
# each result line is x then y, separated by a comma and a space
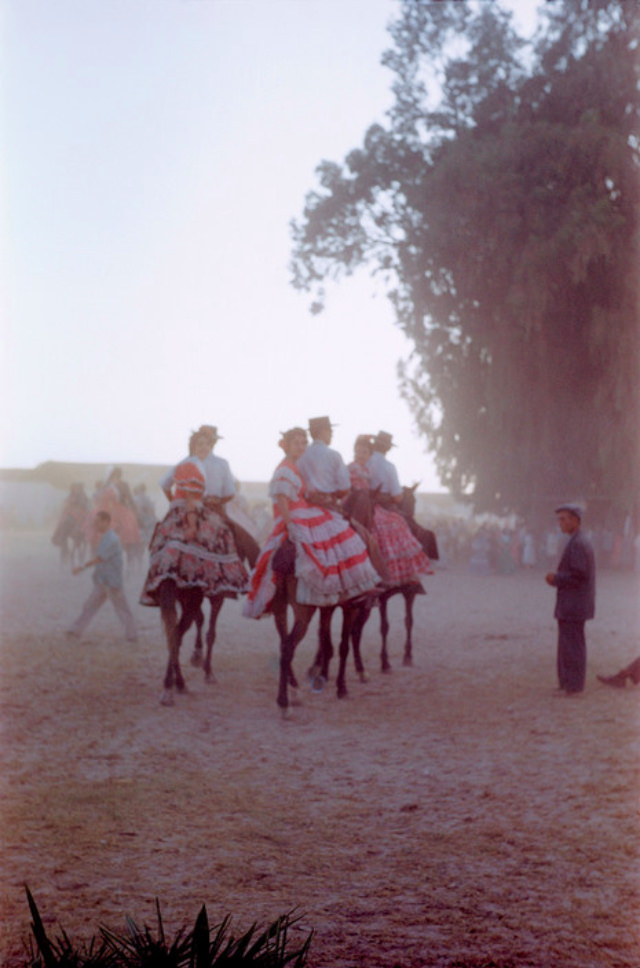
209, 560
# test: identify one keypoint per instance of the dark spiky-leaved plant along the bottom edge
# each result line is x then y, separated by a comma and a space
201, 947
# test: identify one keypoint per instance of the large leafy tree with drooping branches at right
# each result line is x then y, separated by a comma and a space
500, 206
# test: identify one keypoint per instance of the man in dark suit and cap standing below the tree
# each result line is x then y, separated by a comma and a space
575, 581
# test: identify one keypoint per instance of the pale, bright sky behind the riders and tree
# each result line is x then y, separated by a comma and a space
154, 153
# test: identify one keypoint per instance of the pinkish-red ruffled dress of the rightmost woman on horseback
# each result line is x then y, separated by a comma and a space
400, 549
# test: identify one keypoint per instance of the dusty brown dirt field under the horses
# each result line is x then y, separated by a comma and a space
457, 812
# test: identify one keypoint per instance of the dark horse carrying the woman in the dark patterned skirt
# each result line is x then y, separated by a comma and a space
190, 600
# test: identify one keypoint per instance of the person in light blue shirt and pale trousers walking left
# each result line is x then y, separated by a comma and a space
107, 579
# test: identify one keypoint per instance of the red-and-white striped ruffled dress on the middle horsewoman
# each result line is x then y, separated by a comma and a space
332, 563
